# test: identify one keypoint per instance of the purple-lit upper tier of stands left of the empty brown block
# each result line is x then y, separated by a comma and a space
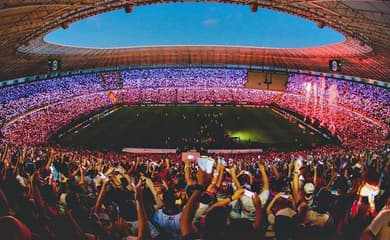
34, 95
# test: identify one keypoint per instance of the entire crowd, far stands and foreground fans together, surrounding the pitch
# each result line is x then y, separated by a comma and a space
327, 193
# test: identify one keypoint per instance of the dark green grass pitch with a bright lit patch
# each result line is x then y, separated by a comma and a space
191, 126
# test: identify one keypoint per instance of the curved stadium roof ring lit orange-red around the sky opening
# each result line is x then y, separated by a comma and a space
365, 52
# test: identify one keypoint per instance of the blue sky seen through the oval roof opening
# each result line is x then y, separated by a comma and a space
194, 24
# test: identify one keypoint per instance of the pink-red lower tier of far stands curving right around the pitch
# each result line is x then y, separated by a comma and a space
352, 128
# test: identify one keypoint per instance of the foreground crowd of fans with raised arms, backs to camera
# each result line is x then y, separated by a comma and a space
326, 193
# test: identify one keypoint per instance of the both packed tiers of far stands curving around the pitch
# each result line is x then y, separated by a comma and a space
356, 112
